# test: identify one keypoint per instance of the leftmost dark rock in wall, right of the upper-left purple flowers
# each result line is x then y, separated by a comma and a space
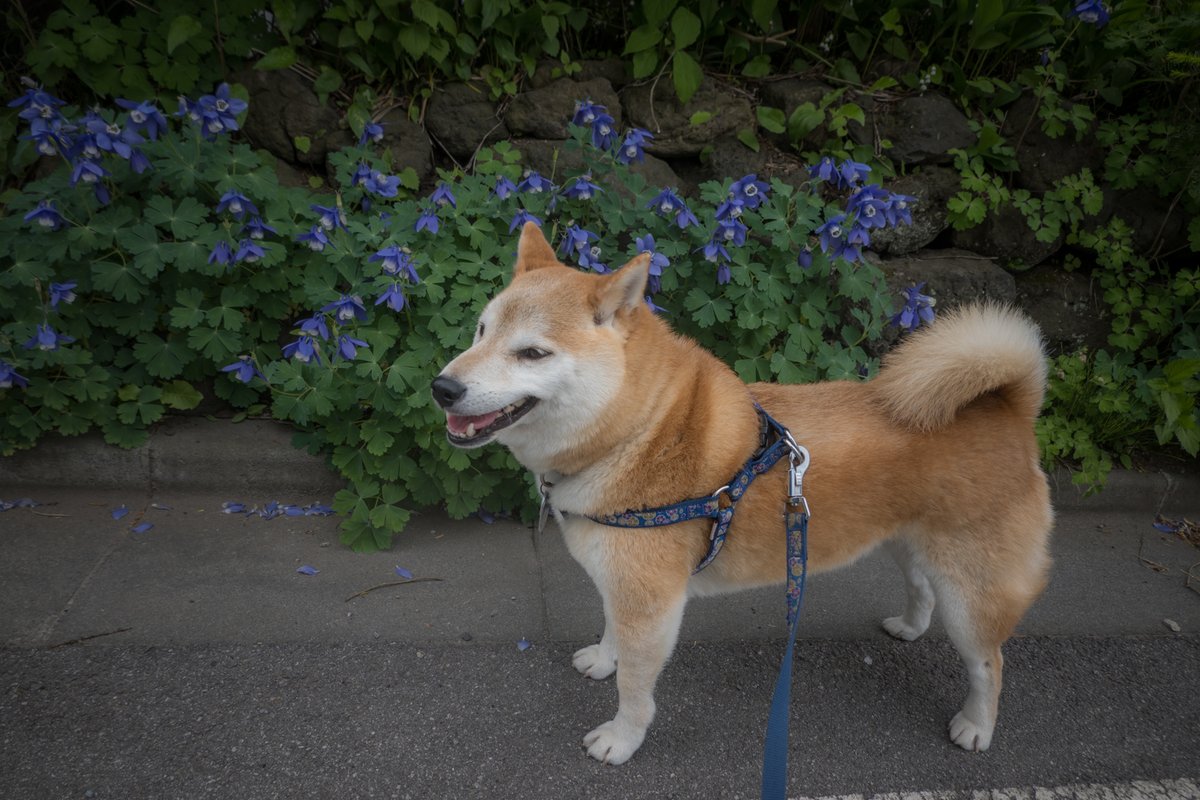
284, 106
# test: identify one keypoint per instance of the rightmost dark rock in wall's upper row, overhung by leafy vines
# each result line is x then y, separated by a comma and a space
1043, 161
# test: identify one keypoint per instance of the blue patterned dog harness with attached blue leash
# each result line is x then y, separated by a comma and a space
776, 442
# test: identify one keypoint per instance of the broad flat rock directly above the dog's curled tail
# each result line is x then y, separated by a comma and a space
952, 276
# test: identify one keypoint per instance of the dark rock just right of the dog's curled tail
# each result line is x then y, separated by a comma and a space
1066, 306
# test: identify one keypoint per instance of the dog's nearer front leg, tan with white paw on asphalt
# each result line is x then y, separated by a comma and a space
644, 624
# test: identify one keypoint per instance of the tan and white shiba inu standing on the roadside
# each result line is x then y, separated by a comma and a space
935, 460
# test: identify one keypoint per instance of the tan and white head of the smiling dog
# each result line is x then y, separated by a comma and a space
548, 358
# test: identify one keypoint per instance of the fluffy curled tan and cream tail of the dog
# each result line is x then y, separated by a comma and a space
965, 354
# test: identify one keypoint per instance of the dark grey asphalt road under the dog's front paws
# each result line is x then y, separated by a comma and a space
437, 720
